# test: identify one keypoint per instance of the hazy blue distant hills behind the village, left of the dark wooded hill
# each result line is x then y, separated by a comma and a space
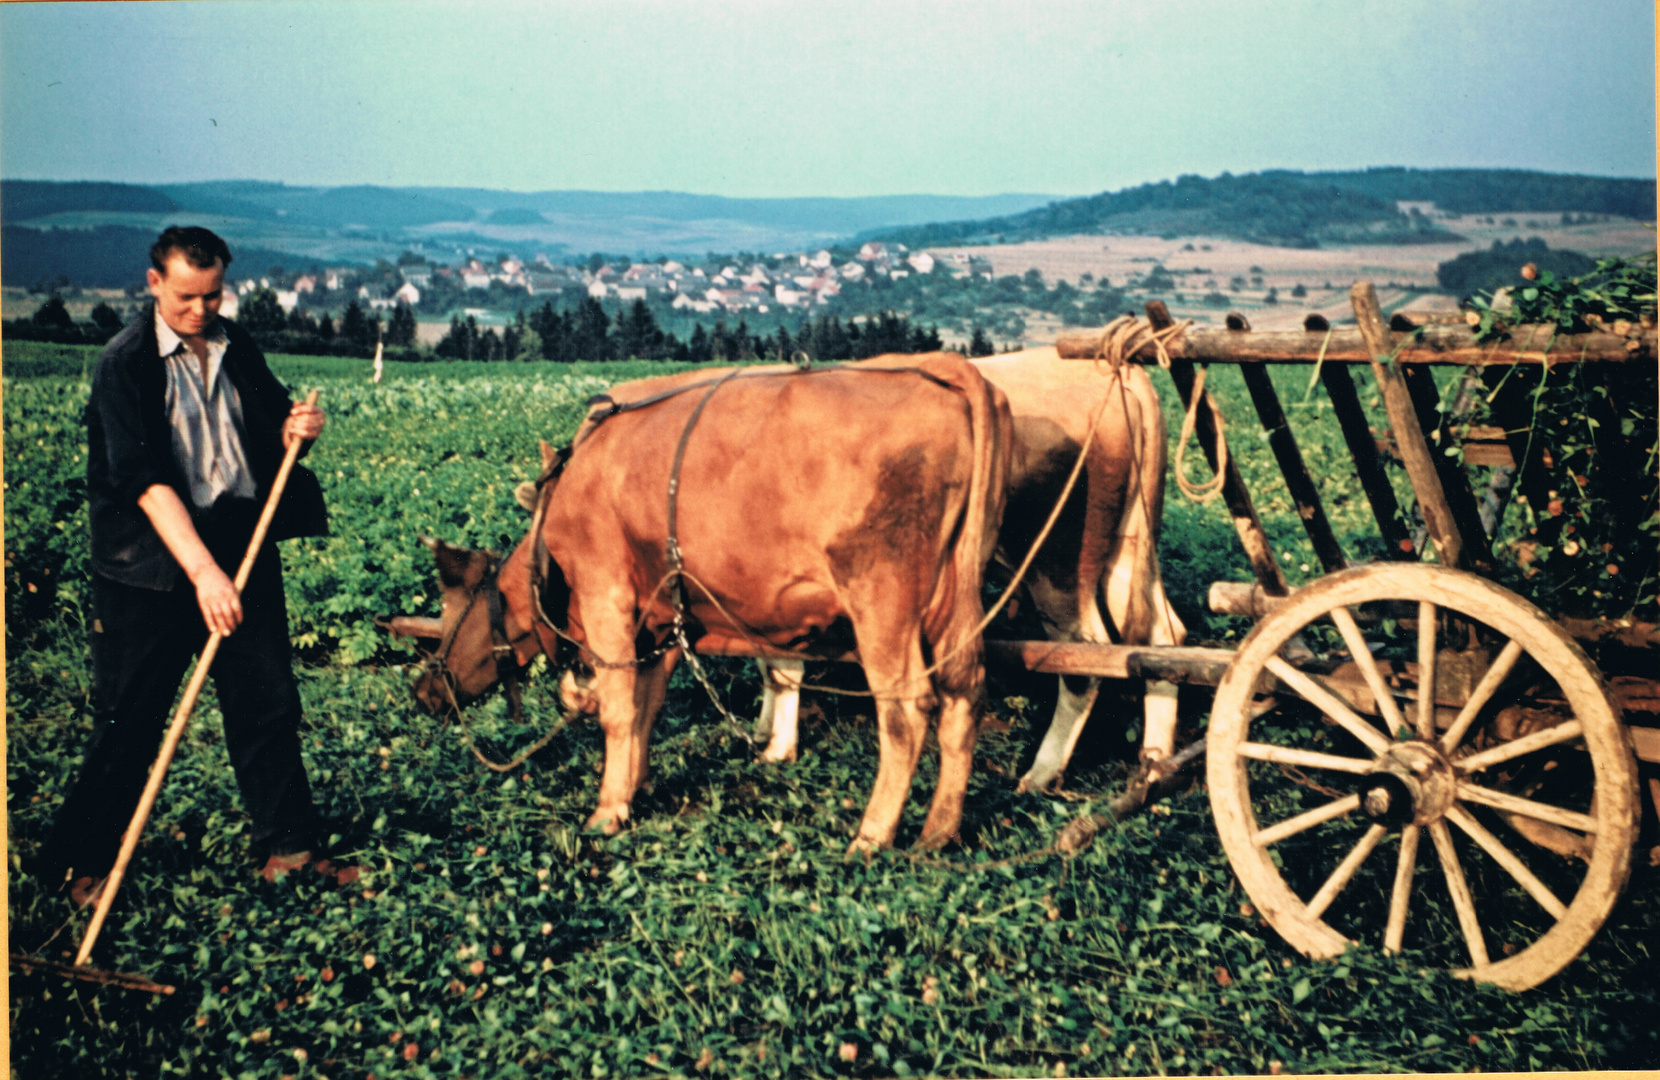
280, 223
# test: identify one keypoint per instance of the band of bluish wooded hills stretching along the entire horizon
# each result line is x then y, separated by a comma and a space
90, 231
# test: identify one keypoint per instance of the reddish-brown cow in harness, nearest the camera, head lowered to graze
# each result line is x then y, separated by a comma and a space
823, 512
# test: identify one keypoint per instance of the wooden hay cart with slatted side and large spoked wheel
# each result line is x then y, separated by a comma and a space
1327, 757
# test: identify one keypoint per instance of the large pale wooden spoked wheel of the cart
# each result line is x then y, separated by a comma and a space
1531, 834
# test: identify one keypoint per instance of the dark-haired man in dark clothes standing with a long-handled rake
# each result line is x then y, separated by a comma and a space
185, 431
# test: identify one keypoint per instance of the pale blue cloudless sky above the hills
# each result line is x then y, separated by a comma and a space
819, 97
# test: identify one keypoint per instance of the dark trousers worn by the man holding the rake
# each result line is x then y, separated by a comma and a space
142, 646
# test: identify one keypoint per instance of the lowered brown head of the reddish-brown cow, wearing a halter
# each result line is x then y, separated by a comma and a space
466, 658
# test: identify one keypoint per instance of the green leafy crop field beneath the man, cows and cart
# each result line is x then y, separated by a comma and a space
723, 932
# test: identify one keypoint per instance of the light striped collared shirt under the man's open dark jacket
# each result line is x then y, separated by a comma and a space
207, 419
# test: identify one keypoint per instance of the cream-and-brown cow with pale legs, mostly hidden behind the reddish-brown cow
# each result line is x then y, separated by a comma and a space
1101, 555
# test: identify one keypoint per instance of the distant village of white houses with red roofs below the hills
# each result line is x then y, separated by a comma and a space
791, 283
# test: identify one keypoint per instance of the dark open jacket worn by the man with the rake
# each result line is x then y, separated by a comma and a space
130, 449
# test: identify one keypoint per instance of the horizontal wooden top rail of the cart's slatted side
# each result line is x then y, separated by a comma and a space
1435, 344
